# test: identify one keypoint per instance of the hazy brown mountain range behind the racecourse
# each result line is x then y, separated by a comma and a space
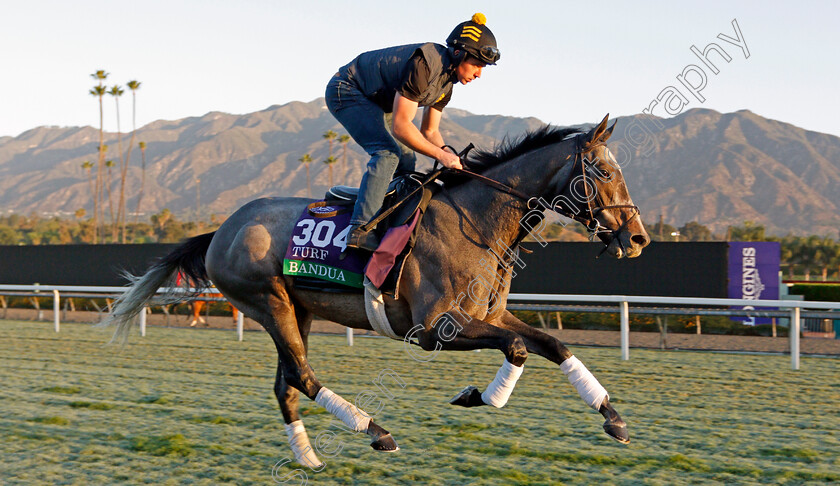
718, 169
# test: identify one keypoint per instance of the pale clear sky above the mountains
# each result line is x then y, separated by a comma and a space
562, 62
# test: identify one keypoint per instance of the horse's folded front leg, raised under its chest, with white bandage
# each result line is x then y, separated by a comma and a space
455, 333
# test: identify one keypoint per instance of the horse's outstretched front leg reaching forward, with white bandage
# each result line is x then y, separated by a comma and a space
584, 382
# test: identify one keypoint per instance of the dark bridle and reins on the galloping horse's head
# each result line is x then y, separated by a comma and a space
589, 219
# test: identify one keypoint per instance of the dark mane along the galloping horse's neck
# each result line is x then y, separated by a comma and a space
510, 148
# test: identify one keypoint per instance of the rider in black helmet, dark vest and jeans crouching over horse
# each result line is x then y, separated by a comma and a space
376, 96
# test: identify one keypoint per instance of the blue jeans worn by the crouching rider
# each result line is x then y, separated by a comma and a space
370, 127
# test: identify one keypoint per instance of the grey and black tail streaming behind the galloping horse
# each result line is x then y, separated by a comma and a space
188, 259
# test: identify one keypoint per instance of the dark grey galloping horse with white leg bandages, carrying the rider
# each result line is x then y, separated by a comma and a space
471, 230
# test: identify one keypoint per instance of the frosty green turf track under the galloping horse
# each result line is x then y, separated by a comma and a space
185, 406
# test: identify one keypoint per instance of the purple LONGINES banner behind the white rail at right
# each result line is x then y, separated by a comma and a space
753, 274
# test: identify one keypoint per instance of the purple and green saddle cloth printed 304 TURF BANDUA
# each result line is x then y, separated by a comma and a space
318, 239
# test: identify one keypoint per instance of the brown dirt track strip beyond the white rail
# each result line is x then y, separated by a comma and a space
568, 336
